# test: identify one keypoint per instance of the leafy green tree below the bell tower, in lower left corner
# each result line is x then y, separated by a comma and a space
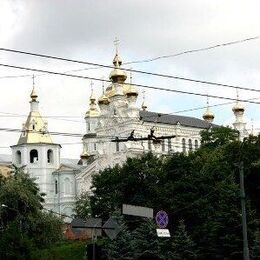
23, 223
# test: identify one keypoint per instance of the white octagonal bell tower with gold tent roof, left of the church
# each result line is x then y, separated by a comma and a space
36, 151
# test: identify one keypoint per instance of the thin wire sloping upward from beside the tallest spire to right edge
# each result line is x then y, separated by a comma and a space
195, 50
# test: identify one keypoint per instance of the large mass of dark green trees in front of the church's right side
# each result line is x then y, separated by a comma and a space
201, 189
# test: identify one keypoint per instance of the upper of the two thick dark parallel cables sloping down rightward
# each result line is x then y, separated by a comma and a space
130, 70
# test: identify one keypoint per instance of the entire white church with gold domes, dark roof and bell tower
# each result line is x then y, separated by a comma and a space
114, 116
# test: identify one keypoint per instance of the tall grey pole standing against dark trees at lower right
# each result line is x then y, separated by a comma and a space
243, 206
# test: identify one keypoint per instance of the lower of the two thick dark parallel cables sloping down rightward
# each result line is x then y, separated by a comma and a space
138, 85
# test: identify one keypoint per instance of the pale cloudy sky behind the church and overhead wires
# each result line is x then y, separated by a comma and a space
86, 30
